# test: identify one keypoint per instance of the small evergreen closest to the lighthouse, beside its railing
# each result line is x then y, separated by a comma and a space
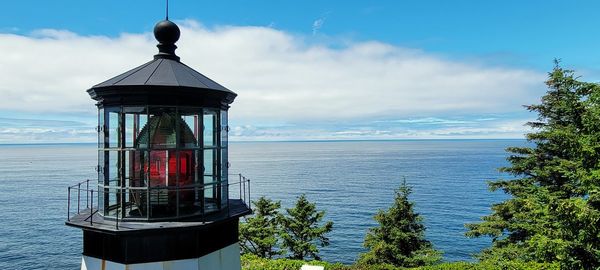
259, 234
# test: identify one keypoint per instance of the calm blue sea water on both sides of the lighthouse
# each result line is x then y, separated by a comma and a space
349, 180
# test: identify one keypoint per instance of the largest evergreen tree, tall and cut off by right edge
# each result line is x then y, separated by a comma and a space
553, 214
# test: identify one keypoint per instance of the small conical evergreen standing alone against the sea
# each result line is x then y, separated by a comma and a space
399, 239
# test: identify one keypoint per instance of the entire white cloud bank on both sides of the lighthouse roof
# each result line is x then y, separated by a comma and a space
280, 77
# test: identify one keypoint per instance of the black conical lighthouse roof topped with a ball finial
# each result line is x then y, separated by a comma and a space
164, 79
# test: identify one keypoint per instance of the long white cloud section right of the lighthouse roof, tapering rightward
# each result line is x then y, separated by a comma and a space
279, 77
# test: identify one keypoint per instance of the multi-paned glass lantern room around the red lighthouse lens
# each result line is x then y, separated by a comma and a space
120, 126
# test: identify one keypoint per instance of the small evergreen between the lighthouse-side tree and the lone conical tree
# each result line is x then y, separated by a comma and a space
302, 232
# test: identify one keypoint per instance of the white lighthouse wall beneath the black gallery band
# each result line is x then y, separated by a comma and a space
227, 258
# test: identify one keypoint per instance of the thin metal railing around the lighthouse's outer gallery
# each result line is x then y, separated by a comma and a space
82, 204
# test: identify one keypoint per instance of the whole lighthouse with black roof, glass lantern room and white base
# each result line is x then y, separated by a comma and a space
164, 198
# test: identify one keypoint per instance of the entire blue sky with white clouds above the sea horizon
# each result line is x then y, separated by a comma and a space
303, 70
